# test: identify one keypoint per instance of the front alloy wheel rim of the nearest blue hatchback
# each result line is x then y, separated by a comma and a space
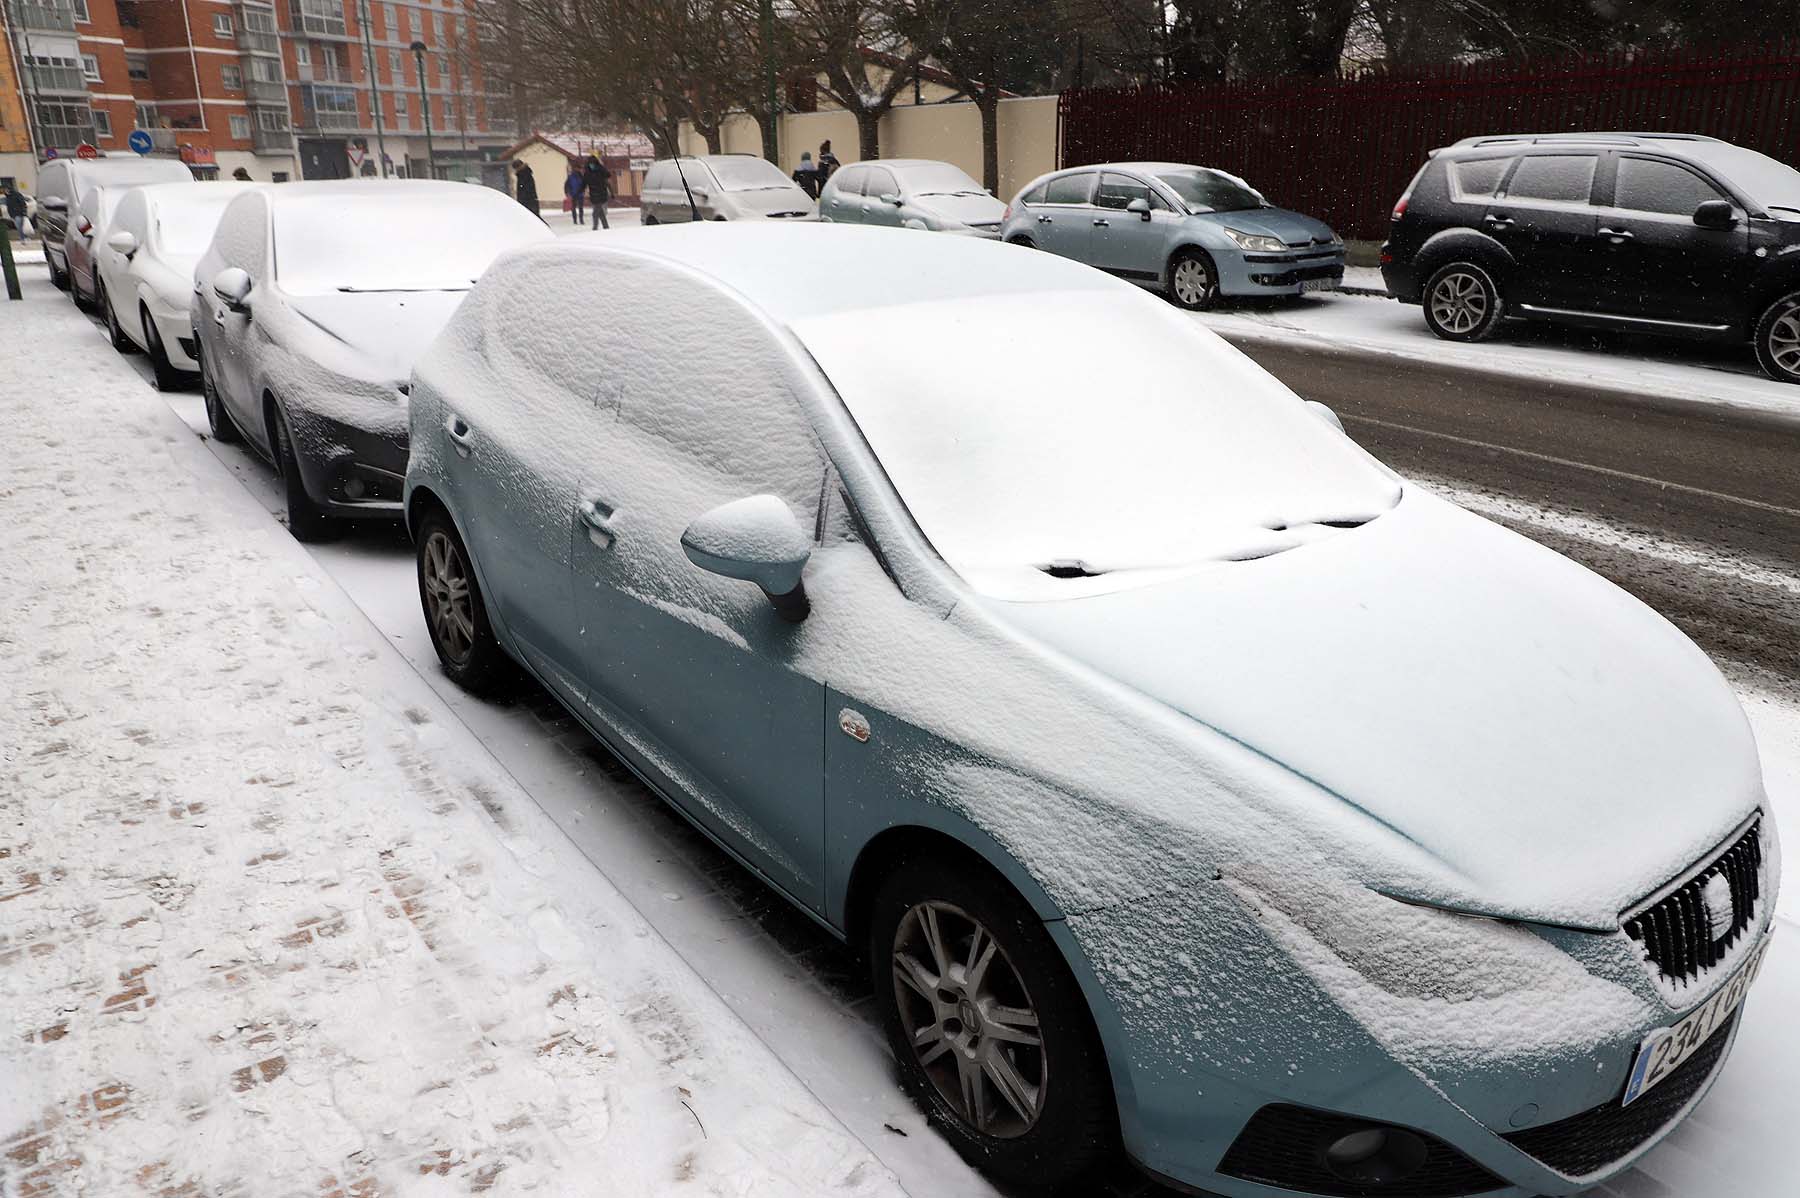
969, 1019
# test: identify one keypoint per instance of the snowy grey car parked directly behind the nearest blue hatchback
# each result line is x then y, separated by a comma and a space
309, 310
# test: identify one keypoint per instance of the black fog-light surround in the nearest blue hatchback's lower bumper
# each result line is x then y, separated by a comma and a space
1286, 1147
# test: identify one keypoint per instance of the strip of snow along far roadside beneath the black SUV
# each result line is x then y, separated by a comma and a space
1632, 364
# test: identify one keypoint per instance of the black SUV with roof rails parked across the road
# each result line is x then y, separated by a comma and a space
1650, 233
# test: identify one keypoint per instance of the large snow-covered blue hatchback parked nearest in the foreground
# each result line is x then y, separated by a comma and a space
1185, 776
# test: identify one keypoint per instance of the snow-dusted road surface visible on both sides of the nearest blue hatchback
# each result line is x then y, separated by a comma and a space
1678, 548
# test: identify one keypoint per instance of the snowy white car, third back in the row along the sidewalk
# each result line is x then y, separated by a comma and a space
145, 269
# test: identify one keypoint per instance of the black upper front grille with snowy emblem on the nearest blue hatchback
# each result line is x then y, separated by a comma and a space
1677, 931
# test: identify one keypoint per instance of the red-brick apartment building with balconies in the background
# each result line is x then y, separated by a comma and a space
303, 89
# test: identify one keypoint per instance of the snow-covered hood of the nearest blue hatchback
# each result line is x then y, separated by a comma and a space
1552, 742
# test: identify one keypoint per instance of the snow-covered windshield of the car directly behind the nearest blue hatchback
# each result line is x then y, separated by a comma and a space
384, 242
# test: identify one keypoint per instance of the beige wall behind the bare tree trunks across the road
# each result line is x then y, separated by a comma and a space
946, 132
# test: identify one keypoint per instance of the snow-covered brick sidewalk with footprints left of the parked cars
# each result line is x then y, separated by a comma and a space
271, 920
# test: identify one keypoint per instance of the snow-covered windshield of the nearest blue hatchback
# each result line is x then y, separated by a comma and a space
1084, 431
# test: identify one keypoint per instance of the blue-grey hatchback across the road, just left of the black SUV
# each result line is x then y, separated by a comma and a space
1189, 231
